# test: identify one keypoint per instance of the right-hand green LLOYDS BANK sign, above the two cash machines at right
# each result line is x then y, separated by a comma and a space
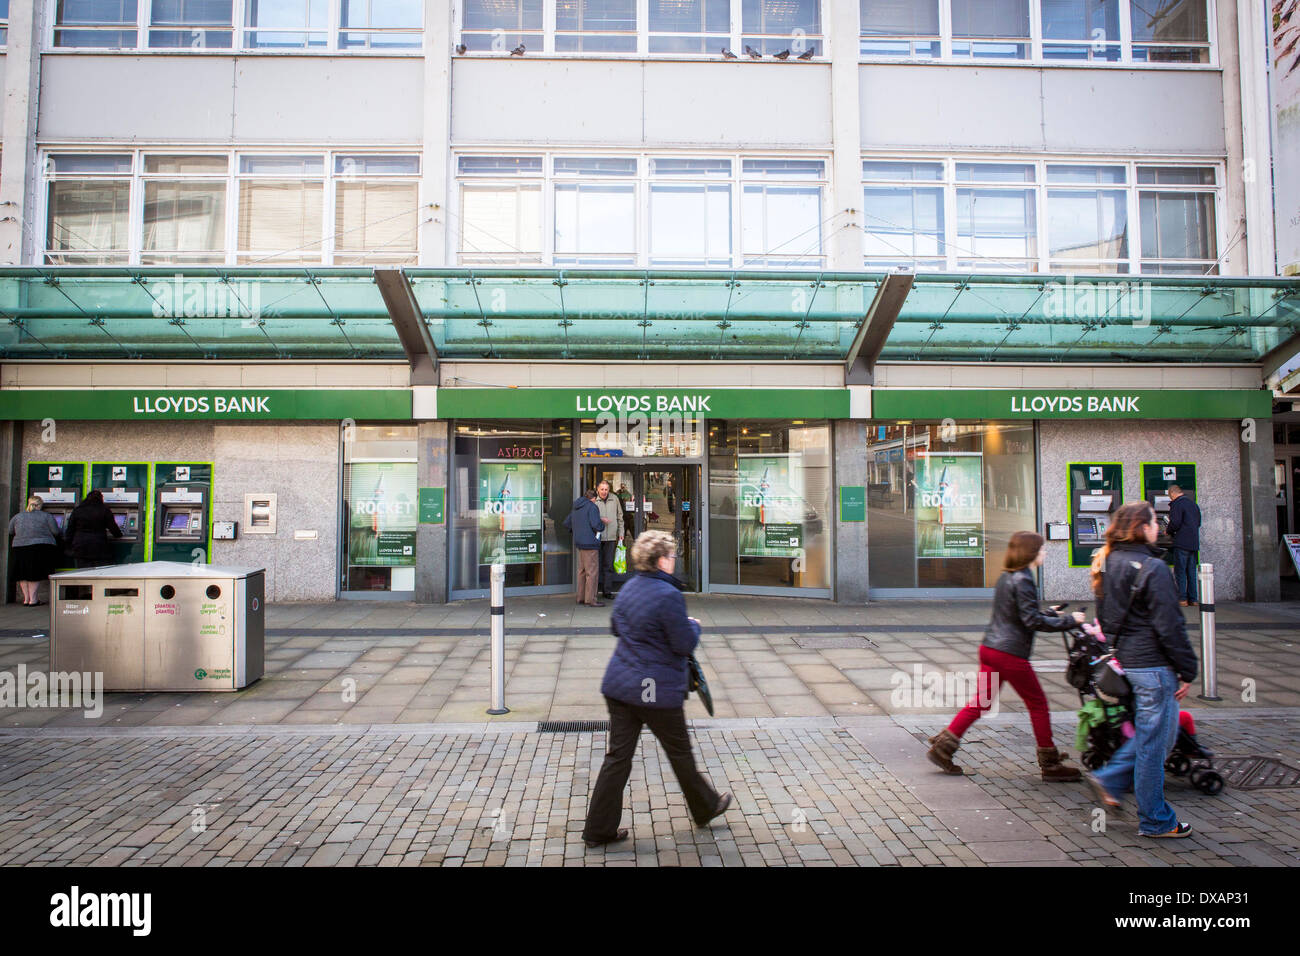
1071, 404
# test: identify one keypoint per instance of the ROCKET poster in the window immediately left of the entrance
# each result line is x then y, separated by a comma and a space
510, 512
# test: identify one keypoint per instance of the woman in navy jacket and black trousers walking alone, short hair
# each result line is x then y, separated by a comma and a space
645, 684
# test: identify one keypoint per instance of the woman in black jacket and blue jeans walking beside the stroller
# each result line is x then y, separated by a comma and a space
1138, 612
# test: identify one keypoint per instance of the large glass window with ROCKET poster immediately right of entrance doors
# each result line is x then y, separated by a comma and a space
770, 505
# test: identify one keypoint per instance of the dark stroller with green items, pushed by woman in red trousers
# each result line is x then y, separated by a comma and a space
1106, 724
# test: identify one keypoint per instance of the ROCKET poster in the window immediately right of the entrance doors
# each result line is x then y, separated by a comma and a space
773, 507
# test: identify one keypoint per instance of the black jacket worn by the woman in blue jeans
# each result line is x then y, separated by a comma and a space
1155, 633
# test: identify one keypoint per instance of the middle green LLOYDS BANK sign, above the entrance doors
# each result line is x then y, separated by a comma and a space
590, 404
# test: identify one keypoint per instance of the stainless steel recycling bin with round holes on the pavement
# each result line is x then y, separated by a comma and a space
161, 626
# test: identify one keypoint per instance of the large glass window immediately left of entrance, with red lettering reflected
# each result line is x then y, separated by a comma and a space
513, 488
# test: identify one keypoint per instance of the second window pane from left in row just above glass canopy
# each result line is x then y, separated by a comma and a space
185, 210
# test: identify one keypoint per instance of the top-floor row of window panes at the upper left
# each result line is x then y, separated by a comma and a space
287, 25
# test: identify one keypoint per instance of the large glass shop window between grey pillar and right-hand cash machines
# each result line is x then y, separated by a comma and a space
944, 503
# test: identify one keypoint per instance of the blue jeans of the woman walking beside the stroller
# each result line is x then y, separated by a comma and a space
1141, 763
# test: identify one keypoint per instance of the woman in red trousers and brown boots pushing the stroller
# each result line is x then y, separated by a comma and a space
1004, 656
